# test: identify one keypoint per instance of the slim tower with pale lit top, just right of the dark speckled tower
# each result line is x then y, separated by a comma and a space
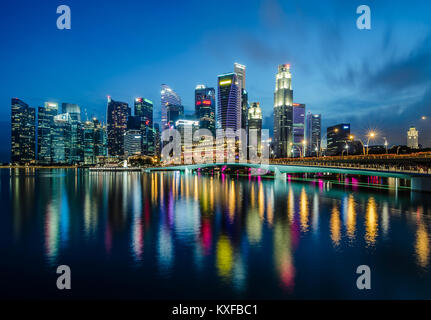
144, 109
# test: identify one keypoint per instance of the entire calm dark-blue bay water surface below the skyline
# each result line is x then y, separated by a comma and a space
170, 235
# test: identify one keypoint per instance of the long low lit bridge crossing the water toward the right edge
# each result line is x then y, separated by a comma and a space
420, 180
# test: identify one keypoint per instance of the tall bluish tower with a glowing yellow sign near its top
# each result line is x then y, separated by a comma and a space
229, 102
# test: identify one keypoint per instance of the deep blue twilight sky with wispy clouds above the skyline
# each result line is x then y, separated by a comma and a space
378, 78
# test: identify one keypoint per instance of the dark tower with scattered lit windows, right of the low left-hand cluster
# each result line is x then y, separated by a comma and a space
117, 115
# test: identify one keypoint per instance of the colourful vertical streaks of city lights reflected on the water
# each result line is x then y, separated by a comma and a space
225, 227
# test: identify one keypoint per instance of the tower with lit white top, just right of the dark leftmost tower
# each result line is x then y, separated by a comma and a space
45, 131
